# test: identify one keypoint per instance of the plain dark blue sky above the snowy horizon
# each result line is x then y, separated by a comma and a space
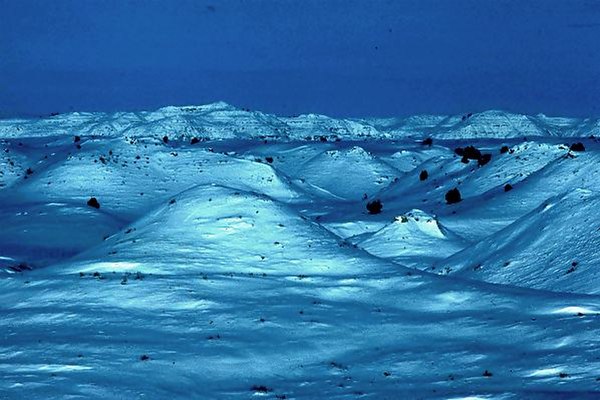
338, 57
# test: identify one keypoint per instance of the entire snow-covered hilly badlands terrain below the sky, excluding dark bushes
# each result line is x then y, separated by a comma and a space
232, 256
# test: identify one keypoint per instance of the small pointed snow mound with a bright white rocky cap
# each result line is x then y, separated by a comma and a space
414, 239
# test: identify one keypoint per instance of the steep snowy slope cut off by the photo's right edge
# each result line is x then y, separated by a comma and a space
556, 247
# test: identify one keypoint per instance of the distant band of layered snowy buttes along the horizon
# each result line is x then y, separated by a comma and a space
223, 121
